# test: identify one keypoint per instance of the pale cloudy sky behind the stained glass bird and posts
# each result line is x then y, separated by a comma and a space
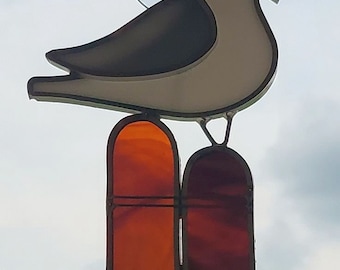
53, 156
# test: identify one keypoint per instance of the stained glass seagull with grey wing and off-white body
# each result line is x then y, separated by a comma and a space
179, 59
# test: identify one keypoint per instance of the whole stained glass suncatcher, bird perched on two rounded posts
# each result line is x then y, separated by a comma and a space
186, 60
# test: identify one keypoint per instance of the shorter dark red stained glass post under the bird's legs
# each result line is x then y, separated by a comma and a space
218, 215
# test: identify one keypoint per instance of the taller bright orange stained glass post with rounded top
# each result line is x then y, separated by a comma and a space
142, 191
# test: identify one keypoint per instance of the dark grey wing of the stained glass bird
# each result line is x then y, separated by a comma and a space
169, 36
